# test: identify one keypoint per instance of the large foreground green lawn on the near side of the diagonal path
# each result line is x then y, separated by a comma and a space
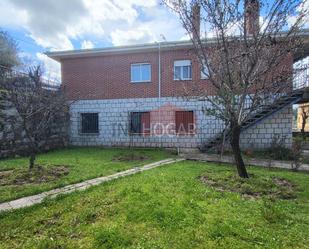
166, 207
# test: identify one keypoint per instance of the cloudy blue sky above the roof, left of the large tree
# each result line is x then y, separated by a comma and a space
52, 25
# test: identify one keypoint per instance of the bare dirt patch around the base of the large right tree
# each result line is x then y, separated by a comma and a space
254, 187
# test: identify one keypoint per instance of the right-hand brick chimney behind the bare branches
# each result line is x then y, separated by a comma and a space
252, 14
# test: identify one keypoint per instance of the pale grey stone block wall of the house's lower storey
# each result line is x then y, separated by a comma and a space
114, 119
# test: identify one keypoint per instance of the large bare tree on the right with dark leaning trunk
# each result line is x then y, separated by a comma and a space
245, 59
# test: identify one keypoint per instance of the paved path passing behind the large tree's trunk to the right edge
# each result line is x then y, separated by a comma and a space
254, 162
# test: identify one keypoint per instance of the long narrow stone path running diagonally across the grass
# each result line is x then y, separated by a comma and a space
35, 199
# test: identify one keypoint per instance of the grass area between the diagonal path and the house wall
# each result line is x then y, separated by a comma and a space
82, 163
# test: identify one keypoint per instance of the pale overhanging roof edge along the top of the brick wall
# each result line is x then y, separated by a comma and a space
59, 55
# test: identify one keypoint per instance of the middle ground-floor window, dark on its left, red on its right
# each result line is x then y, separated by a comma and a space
140, 123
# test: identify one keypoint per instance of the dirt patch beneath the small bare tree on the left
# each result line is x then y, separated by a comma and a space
38, 175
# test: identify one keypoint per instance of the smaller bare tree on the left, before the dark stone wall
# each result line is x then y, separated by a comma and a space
39, 108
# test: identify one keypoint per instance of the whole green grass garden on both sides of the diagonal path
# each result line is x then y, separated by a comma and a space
187, 204
